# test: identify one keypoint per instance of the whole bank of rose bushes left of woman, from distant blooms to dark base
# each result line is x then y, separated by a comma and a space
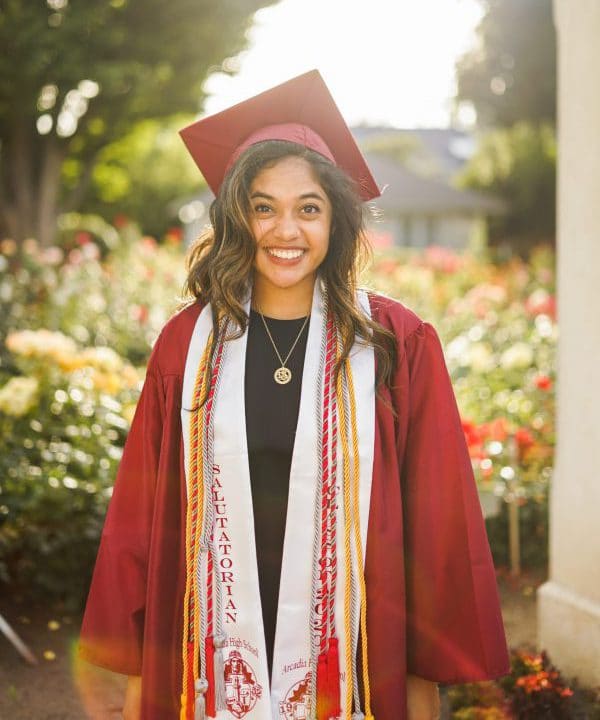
78, 324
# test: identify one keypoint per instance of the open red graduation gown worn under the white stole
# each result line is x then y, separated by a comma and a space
432, 598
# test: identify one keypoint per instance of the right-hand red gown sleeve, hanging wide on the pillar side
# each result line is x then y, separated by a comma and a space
455, 631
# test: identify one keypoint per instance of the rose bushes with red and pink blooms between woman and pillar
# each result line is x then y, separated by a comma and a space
498, 324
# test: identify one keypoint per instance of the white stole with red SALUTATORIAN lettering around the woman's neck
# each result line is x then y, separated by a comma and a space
249, 693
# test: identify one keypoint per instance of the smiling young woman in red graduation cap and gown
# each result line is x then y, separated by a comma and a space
295, 530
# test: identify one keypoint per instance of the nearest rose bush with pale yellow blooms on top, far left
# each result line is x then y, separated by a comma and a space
63, 425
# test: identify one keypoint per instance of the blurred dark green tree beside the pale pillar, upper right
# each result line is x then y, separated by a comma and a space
509, 77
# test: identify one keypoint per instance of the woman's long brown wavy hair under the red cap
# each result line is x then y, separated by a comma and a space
220, 262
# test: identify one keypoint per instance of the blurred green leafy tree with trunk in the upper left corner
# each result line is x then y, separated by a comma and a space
75, 76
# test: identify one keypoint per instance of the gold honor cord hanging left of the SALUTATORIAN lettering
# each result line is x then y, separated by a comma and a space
195, 492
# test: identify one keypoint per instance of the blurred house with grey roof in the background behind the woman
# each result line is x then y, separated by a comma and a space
419, 206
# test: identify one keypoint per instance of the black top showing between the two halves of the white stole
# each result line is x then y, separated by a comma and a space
271, 419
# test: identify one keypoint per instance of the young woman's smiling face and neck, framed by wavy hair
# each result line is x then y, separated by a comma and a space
290, 219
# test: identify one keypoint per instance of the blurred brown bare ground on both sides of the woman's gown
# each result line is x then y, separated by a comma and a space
60, 688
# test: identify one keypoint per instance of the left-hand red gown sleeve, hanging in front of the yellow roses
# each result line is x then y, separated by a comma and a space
112, 628
